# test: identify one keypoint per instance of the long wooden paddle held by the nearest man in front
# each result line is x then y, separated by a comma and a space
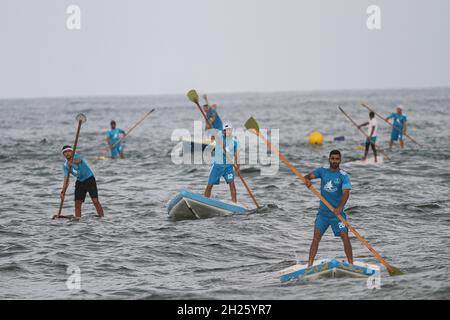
253, 126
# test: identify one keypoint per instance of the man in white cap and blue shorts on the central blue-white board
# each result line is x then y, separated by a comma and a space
221, 167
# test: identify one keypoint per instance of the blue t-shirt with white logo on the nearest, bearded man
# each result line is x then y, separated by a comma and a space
331, 187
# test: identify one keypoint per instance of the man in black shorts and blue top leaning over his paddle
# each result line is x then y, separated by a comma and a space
85, 181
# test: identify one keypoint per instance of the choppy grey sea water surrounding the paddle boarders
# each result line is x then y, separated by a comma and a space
135, 252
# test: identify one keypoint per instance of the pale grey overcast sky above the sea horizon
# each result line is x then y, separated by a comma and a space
128, 47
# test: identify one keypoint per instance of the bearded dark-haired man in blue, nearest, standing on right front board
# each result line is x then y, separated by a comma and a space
335, 187
